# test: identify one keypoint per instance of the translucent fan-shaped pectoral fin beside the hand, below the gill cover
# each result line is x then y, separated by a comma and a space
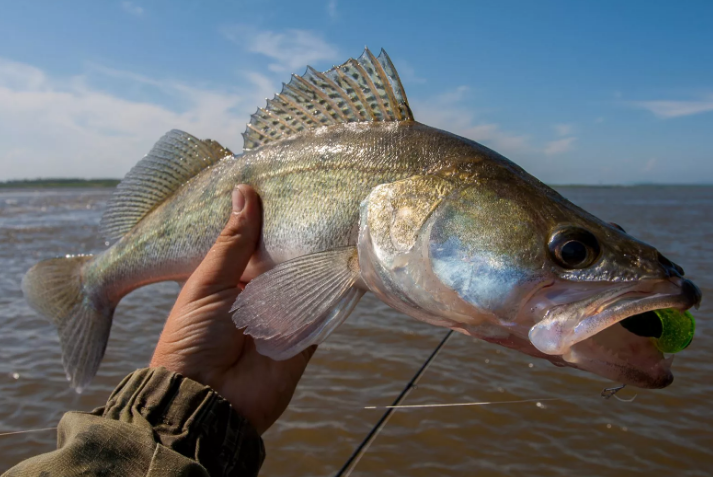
299, 302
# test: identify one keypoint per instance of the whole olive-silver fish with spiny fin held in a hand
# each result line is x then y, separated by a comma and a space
358, 196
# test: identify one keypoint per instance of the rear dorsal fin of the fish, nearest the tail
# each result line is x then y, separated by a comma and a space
173, 160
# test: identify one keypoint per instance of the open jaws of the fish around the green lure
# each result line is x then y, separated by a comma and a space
583, 335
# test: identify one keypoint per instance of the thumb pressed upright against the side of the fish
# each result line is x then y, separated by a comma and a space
225, 262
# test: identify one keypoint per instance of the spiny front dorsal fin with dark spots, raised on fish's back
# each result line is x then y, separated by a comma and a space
367, 89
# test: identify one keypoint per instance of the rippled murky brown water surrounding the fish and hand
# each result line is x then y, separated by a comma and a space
372, 356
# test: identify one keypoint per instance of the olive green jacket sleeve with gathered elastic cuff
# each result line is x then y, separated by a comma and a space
155, 423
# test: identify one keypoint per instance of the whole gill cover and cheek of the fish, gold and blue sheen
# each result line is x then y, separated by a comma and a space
449, 256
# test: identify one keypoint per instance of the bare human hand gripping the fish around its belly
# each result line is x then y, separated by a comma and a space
200, 340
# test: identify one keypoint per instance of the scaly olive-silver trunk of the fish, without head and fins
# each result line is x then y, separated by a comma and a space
310, 188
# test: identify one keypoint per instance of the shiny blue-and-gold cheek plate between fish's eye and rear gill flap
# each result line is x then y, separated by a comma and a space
484, 246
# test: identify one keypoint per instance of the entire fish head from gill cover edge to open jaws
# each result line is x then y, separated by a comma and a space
514, 263
